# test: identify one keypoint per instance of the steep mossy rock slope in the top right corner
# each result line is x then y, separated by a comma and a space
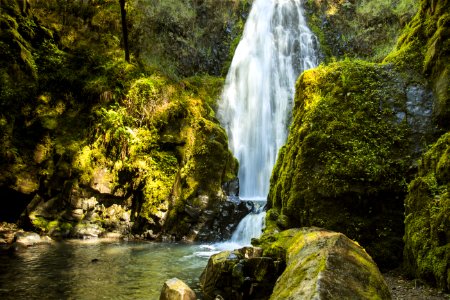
424, 49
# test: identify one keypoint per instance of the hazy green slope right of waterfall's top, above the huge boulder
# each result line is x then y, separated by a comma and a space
358, 29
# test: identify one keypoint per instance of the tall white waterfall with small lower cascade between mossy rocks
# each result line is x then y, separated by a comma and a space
275, 48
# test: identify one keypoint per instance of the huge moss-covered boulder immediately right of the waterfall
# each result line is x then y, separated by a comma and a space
350, 146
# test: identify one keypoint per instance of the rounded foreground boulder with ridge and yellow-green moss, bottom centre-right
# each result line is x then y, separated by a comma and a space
323, 264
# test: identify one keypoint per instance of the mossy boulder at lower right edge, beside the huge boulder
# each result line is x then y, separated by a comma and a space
427, 223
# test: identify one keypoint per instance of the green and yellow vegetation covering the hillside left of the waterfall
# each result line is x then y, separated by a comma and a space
78, 120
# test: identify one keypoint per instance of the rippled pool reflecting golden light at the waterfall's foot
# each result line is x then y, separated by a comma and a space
66, 270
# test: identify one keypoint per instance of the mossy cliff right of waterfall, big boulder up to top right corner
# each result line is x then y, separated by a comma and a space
358, 129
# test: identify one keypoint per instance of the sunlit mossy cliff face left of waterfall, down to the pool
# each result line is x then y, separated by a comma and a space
92, 144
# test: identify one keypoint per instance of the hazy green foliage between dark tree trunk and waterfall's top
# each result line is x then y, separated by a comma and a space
187, 37
